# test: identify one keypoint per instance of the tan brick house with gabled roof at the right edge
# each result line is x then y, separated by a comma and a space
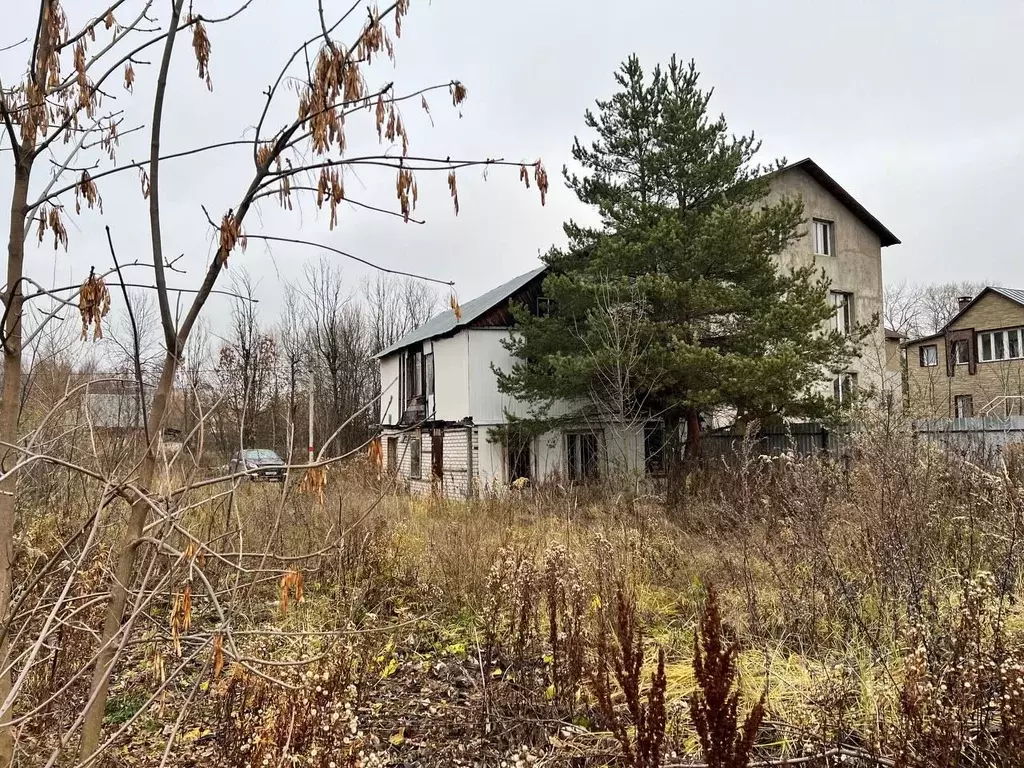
975, 365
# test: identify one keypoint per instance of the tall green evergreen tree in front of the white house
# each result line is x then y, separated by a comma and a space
686, 226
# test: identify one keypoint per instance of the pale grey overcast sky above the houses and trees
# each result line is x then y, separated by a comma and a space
914, 107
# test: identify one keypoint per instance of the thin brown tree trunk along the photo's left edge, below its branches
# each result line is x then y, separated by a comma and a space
10, 409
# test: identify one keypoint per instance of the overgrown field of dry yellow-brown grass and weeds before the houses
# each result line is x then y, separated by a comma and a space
870, 615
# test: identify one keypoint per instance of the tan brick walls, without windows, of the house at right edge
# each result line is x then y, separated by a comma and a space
933, 394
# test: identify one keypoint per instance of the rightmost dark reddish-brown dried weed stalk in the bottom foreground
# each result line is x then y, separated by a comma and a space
714, 706
